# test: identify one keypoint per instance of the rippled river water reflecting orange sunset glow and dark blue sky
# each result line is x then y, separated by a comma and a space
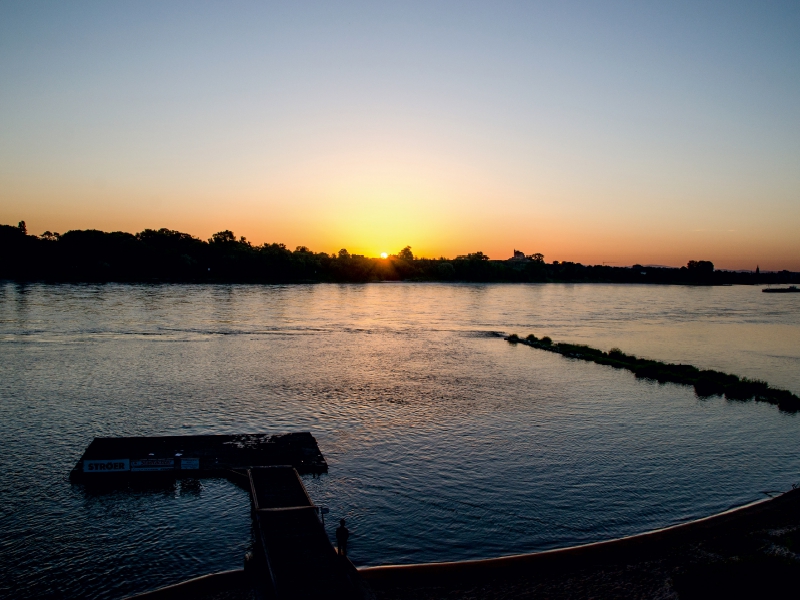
443, 442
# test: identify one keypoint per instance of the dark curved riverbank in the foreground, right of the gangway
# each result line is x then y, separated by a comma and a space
744, 553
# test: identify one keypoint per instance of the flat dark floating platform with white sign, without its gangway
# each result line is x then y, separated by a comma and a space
141, 459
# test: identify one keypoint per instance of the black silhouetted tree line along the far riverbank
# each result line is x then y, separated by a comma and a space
166, 255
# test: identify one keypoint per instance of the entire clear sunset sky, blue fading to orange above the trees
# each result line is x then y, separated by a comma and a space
595, 132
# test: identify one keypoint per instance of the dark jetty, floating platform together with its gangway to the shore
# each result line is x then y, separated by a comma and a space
293, 558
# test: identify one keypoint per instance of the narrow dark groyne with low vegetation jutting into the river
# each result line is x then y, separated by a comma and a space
706, 382
